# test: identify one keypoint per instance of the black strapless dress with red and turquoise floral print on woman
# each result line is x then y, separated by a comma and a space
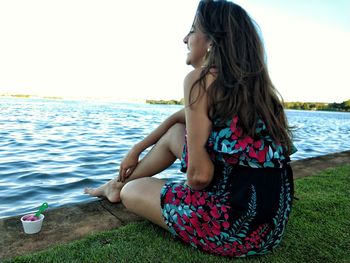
245, 209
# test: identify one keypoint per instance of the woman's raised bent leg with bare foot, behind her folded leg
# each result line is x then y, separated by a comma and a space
162, 155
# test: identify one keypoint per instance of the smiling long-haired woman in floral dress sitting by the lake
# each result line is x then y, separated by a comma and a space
233, 141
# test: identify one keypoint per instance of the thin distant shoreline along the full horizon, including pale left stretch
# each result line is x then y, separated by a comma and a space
311, 106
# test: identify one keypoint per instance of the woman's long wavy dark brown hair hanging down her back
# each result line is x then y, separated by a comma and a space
242, 86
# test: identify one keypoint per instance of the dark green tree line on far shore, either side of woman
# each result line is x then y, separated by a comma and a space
343, 106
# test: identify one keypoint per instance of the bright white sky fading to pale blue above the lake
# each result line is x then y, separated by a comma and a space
134, 50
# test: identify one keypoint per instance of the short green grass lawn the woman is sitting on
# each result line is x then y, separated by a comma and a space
318, 231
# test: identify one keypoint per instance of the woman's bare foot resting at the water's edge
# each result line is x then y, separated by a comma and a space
110, 190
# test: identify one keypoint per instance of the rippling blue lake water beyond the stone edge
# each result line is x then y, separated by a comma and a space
51, 149
